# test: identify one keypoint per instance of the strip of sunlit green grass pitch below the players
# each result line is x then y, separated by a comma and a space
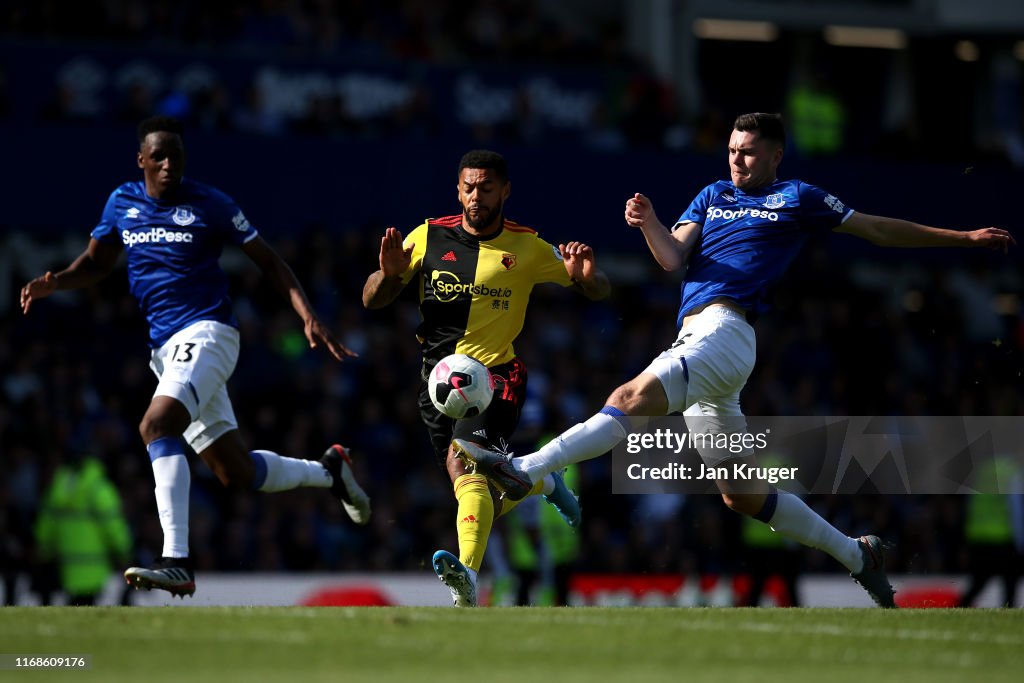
560, 646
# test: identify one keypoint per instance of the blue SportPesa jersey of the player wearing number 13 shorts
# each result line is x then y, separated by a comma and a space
174, 250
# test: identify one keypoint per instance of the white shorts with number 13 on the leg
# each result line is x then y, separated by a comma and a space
194, 367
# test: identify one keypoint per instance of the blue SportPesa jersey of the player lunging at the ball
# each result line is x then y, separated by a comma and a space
749, 240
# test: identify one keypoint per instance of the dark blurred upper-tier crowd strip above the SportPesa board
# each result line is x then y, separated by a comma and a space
445, 31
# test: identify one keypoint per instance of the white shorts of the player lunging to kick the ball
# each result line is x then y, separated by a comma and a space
704, 372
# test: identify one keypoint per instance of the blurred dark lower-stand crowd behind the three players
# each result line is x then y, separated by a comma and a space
928, 341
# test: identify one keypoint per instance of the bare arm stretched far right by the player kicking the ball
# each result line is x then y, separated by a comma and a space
895, 233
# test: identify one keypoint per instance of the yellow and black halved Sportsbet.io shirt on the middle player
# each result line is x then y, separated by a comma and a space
474, 292
